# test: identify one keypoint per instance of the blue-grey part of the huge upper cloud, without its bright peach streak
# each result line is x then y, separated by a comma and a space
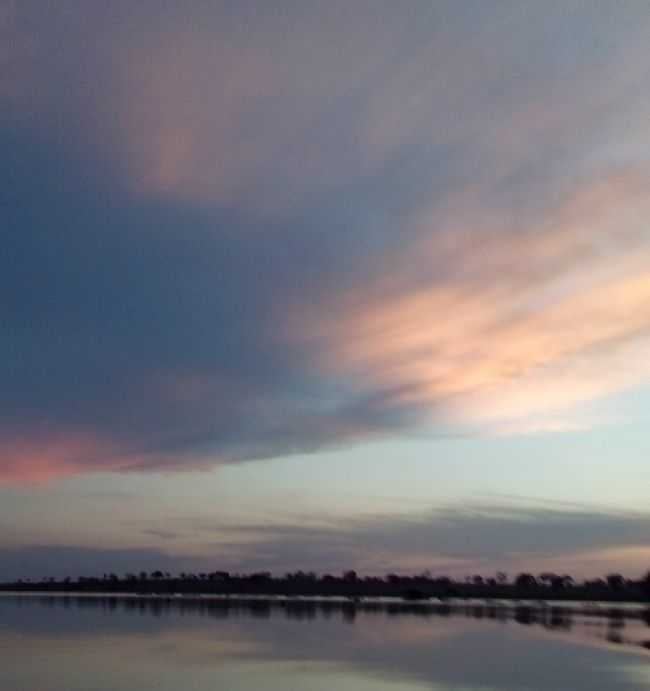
162, 224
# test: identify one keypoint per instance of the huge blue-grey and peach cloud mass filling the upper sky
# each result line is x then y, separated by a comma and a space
230, 228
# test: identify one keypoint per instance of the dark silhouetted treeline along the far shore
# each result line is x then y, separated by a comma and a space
525, 586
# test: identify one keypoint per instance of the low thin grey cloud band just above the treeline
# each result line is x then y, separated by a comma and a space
482, 537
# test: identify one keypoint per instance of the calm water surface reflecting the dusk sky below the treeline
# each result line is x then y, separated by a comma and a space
126, 644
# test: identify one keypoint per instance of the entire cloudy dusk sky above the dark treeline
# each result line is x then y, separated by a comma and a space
324, 285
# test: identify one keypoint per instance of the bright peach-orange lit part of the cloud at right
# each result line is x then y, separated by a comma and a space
496, 326
